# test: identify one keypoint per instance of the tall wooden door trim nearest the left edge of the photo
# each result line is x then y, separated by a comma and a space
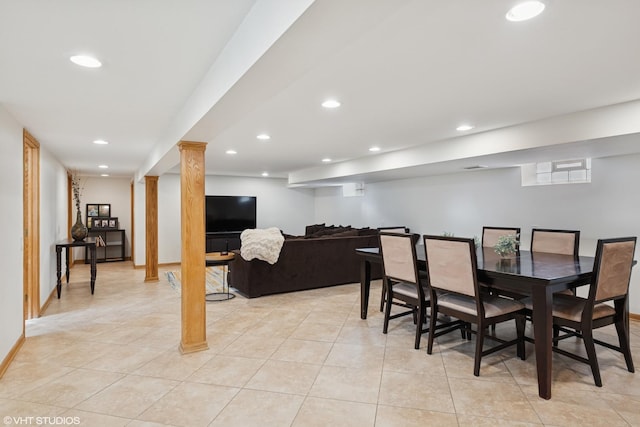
31, 226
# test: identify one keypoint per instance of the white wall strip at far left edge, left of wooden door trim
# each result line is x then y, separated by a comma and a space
11, 303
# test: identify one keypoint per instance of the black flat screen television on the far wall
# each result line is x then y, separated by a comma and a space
229, 213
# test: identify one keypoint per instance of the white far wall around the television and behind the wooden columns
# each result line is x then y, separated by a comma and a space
277, 206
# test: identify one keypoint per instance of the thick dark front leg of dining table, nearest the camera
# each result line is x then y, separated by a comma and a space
542, 299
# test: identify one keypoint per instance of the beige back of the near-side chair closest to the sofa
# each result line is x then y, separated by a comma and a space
399, 257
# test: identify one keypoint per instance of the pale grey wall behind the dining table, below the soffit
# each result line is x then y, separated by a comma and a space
462, 203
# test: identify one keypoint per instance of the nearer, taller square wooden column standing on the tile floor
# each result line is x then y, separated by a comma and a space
194, 322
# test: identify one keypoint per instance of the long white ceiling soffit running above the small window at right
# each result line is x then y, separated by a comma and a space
593, 133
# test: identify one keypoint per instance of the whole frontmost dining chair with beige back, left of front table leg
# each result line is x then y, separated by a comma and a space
455, 291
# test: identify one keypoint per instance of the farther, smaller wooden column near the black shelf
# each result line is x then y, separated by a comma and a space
151, 229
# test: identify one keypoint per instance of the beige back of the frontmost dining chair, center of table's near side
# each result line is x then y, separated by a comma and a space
451, 264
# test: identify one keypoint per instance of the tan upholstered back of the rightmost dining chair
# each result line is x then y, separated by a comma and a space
612, 268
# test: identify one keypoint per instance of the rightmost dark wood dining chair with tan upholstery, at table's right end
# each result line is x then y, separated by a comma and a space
577, 316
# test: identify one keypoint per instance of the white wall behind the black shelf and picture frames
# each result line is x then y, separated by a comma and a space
113, 191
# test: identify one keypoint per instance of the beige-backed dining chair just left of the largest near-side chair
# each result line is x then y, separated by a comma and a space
402, 282
